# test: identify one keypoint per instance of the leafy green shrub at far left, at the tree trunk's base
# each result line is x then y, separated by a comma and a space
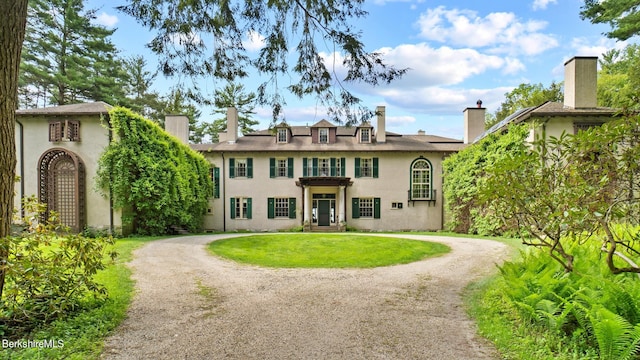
48, 275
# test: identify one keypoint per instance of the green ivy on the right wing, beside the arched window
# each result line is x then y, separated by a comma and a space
465, 174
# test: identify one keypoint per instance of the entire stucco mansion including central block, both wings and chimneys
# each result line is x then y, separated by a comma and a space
319, 177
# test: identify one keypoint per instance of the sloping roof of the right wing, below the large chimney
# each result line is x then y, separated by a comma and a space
547, 109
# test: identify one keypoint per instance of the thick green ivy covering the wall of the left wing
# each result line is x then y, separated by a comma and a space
156, 180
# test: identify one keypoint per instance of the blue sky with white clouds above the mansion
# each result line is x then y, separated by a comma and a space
459, 51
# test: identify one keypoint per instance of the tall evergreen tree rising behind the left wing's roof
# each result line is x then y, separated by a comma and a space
66, 59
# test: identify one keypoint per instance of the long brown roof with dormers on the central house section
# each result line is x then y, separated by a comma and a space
345, 141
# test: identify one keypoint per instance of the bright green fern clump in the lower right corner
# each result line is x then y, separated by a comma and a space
566, 315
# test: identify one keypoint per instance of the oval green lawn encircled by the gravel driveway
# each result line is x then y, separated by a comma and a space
289, 250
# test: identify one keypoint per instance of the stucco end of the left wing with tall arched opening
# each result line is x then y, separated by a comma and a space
58, 150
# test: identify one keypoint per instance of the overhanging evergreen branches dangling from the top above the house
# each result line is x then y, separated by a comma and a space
210, 34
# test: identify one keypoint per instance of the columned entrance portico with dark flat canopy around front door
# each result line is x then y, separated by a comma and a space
325, 204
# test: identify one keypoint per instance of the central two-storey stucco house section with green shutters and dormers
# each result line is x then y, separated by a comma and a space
327, 177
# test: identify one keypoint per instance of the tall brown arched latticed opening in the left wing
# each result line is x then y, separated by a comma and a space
61, 182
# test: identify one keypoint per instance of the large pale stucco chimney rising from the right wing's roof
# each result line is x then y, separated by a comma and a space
580, 82
